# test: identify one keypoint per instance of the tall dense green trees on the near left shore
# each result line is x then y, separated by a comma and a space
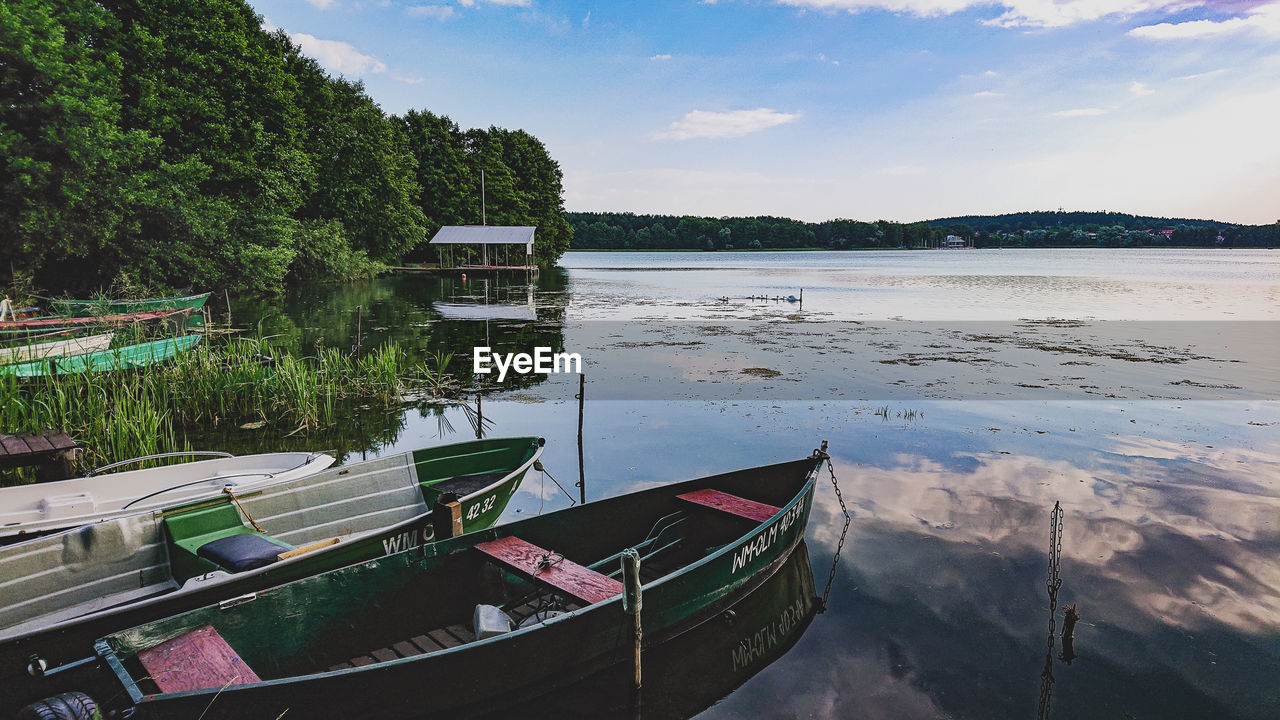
181, 144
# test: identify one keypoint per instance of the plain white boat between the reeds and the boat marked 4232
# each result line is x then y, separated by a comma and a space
44, 508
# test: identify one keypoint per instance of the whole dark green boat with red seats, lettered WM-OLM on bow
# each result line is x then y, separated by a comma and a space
467, 623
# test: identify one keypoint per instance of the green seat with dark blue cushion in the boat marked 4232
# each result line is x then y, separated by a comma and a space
217, 535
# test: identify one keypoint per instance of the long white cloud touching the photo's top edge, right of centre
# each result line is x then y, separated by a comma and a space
1017, 13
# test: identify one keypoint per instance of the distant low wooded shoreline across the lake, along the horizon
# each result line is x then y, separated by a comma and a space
627, 231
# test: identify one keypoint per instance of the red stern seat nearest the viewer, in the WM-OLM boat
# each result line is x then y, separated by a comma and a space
195, 662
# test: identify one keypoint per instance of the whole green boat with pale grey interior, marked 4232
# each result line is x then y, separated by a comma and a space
62, 591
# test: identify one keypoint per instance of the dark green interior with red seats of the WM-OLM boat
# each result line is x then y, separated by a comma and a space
451, 594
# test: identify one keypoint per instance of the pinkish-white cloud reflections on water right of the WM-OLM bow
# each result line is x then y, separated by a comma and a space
1187, 555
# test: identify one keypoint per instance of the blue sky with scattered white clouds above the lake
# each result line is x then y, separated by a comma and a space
863, 110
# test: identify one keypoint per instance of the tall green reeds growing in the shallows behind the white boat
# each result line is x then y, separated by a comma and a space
129, 414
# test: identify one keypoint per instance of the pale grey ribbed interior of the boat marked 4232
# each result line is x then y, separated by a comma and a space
107, 564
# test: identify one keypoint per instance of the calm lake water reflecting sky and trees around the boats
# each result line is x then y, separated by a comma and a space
963, 394
